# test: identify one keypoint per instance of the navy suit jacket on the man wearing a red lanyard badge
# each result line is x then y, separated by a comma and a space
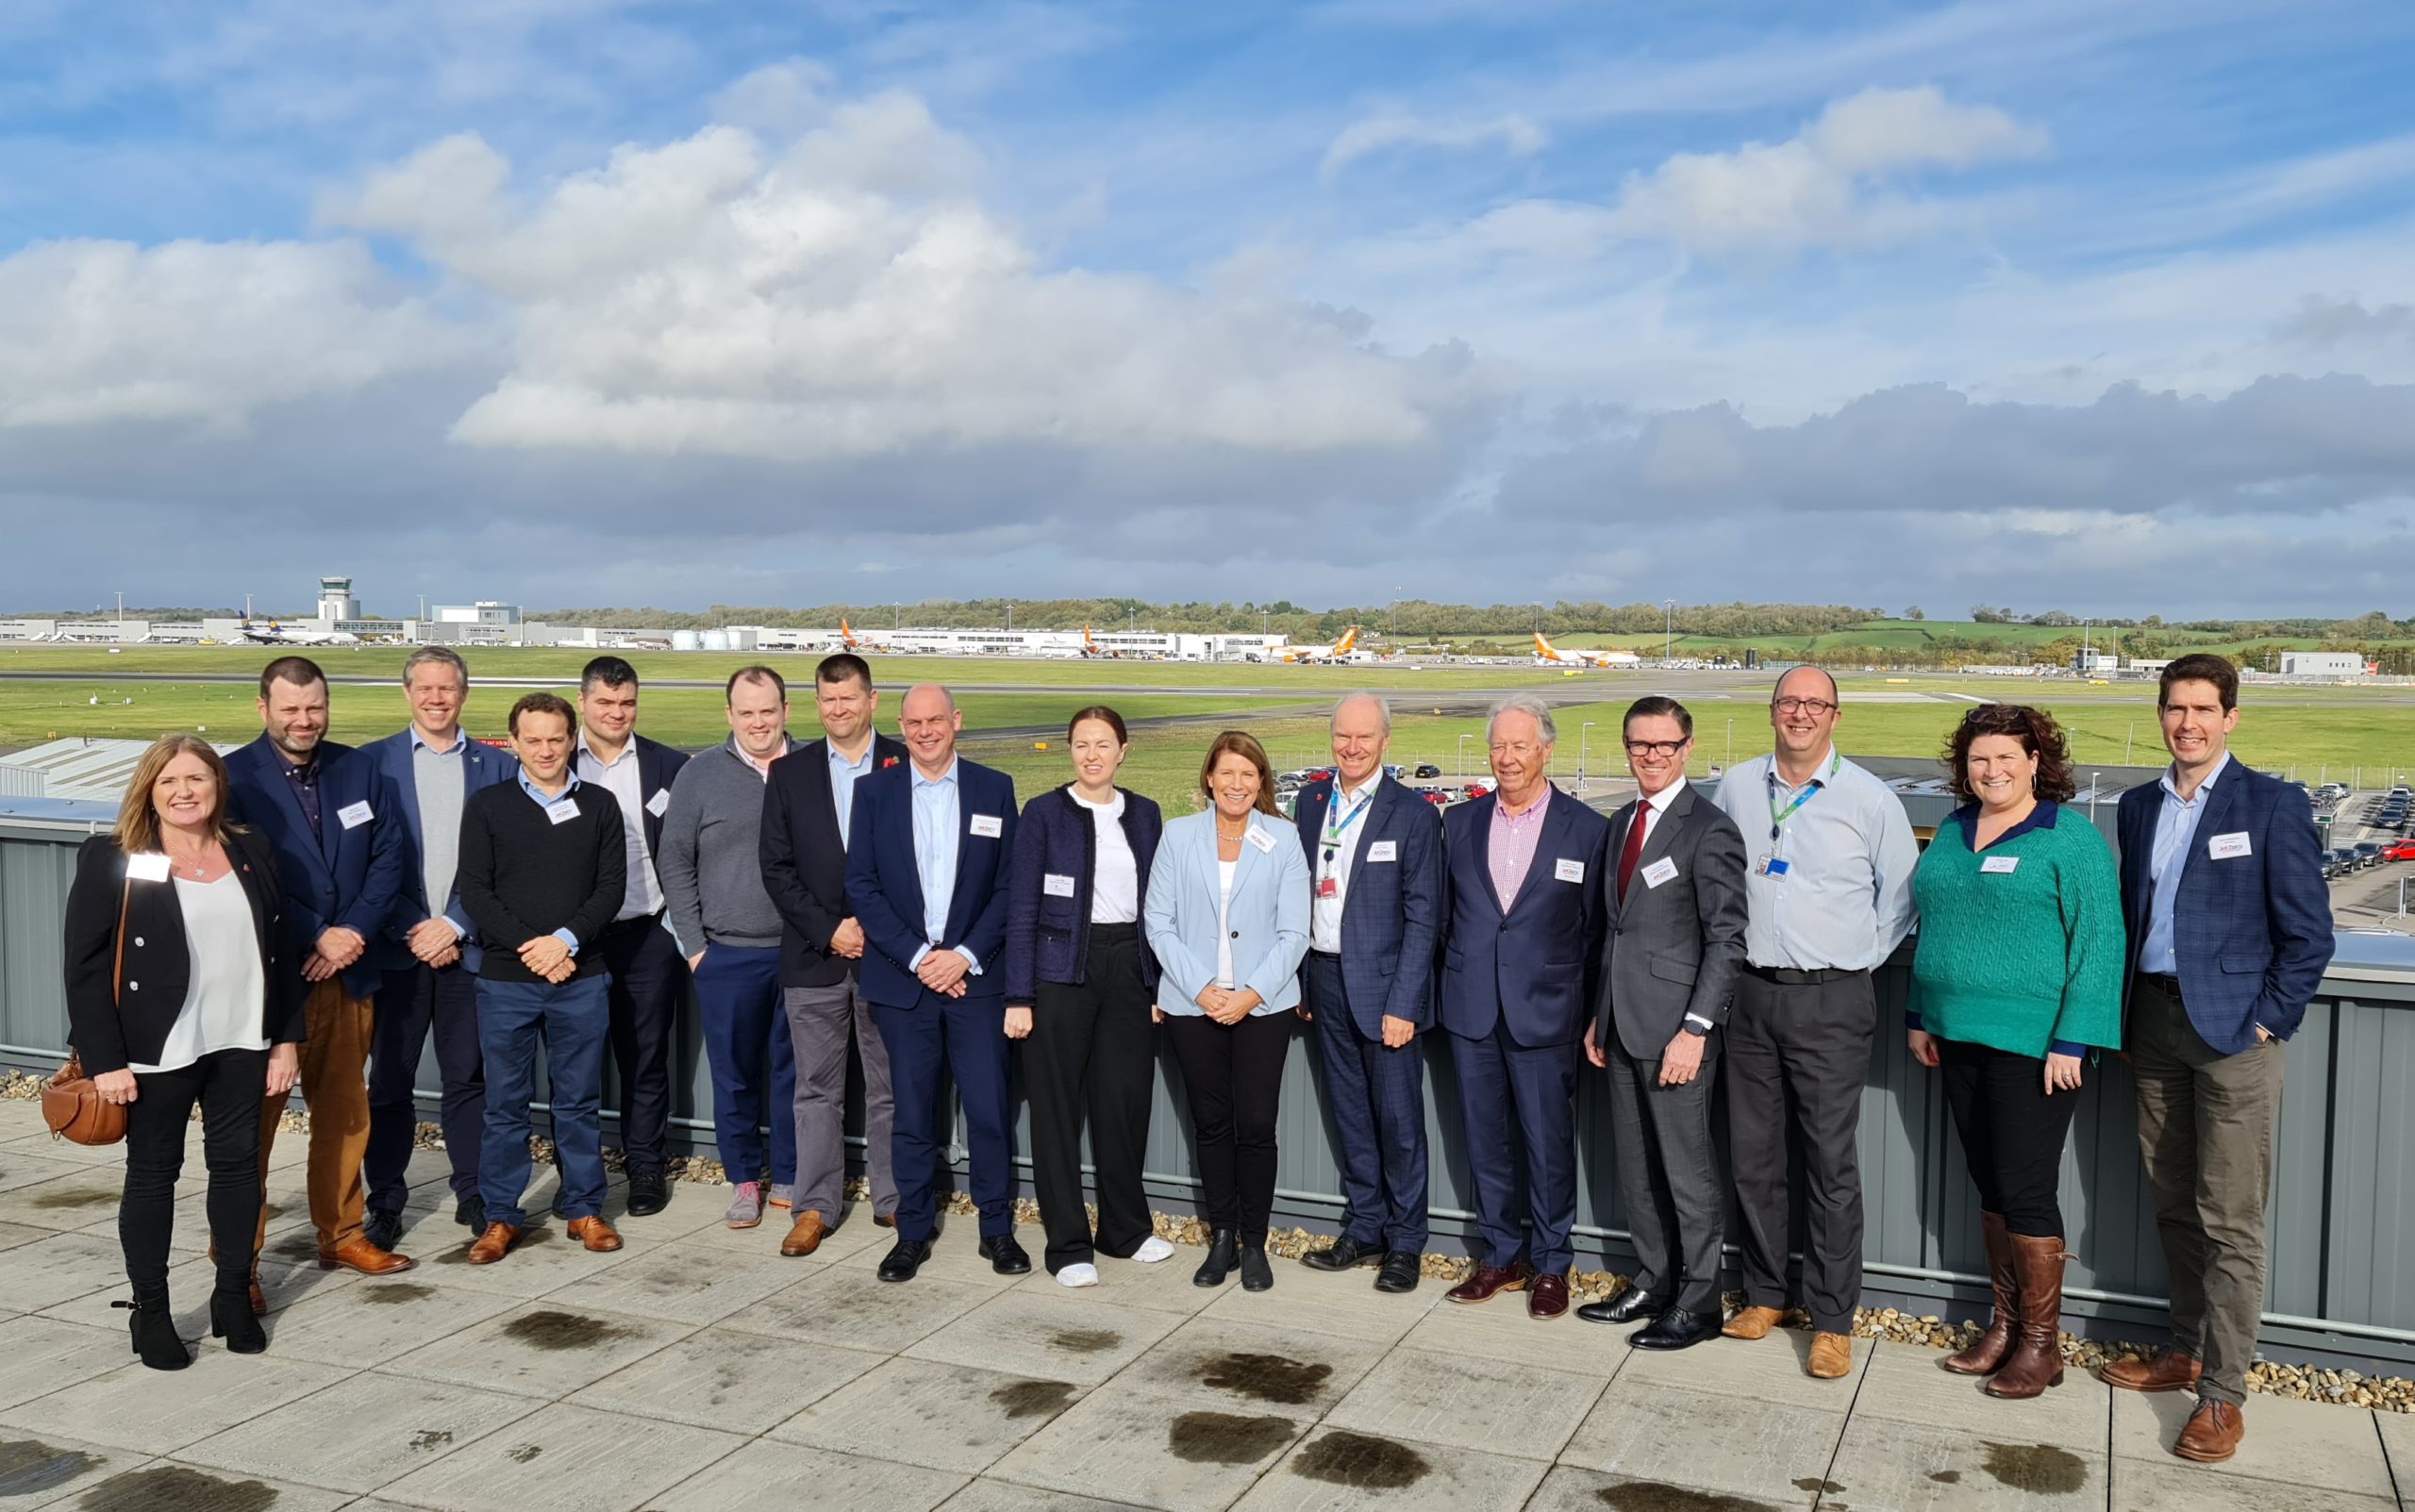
1392, 914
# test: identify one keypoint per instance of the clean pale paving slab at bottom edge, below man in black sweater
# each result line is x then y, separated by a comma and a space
566, 1460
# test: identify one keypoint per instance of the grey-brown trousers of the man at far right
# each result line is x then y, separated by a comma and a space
2206, 1136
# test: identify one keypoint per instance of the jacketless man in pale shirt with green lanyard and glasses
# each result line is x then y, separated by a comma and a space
1829, 897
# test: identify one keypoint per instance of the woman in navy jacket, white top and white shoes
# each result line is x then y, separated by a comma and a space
1081, 984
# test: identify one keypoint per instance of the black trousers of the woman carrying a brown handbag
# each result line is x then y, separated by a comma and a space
228, 1086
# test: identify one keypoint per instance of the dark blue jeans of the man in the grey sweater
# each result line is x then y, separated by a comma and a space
755, 1066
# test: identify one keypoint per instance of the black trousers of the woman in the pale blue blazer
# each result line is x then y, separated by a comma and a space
1233, 1078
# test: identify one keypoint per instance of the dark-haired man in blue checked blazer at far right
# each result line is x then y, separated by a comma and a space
2230, 934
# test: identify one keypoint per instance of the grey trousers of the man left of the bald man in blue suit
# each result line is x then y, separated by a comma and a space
820, 1023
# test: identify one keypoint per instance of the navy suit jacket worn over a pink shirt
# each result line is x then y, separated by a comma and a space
1527, 970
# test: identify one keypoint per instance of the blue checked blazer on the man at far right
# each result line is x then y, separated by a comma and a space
2252, 934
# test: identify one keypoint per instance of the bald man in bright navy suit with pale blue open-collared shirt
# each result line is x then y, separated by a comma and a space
929, 854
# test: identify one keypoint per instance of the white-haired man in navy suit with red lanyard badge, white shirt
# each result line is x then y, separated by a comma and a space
1368, 984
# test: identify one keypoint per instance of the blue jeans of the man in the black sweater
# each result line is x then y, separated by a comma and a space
574, 1023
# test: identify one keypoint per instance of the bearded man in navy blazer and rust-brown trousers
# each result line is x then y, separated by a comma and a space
330, 815
